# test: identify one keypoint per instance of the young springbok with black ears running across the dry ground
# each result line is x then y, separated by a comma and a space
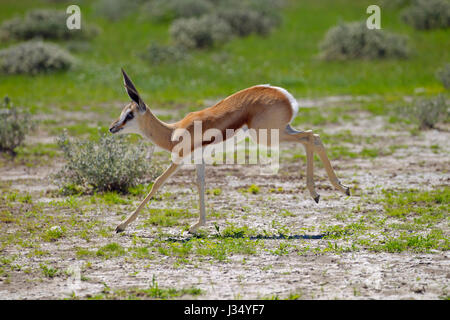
258, 107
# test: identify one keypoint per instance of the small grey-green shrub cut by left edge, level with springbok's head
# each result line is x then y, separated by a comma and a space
14, 126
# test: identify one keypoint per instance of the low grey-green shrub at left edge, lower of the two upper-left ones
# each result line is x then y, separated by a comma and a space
34, 57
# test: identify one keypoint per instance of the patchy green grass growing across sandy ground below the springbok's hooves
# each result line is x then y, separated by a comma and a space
406, 221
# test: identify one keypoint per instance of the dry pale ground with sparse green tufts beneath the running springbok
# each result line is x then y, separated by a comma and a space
265, 237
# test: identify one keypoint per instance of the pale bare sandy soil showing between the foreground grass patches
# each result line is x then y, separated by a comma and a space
358, 274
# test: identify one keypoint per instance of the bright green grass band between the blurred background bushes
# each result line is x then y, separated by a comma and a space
287, 57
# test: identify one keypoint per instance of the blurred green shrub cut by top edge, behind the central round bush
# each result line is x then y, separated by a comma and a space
167, 10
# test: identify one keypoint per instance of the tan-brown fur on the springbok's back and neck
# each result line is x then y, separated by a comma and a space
258, 107
